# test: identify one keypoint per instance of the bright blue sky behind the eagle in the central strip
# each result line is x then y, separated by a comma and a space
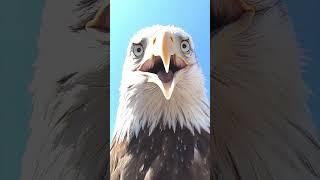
127, 17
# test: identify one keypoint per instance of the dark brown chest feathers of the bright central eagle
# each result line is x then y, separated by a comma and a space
164, 154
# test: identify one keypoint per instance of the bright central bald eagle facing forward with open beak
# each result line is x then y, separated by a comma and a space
162, 127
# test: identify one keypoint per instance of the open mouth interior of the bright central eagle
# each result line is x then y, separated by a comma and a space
156, 66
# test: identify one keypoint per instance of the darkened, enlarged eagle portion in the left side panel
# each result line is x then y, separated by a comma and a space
69, 134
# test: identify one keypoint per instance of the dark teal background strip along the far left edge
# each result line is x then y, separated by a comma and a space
19, 29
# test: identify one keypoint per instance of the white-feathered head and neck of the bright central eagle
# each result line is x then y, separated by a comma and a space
162, 83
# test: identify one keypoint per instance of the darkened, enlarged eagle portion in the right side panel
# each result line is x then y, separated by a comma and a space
261, 126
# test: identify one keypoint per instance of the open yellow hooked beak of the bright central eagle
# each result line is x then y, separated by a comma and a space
163, 50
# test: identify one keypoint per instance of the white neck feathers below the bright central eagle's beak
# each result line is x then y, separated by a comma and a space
143, 106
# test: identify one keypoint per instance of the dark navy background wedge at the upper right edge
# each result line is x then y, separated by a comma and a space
305, 17
